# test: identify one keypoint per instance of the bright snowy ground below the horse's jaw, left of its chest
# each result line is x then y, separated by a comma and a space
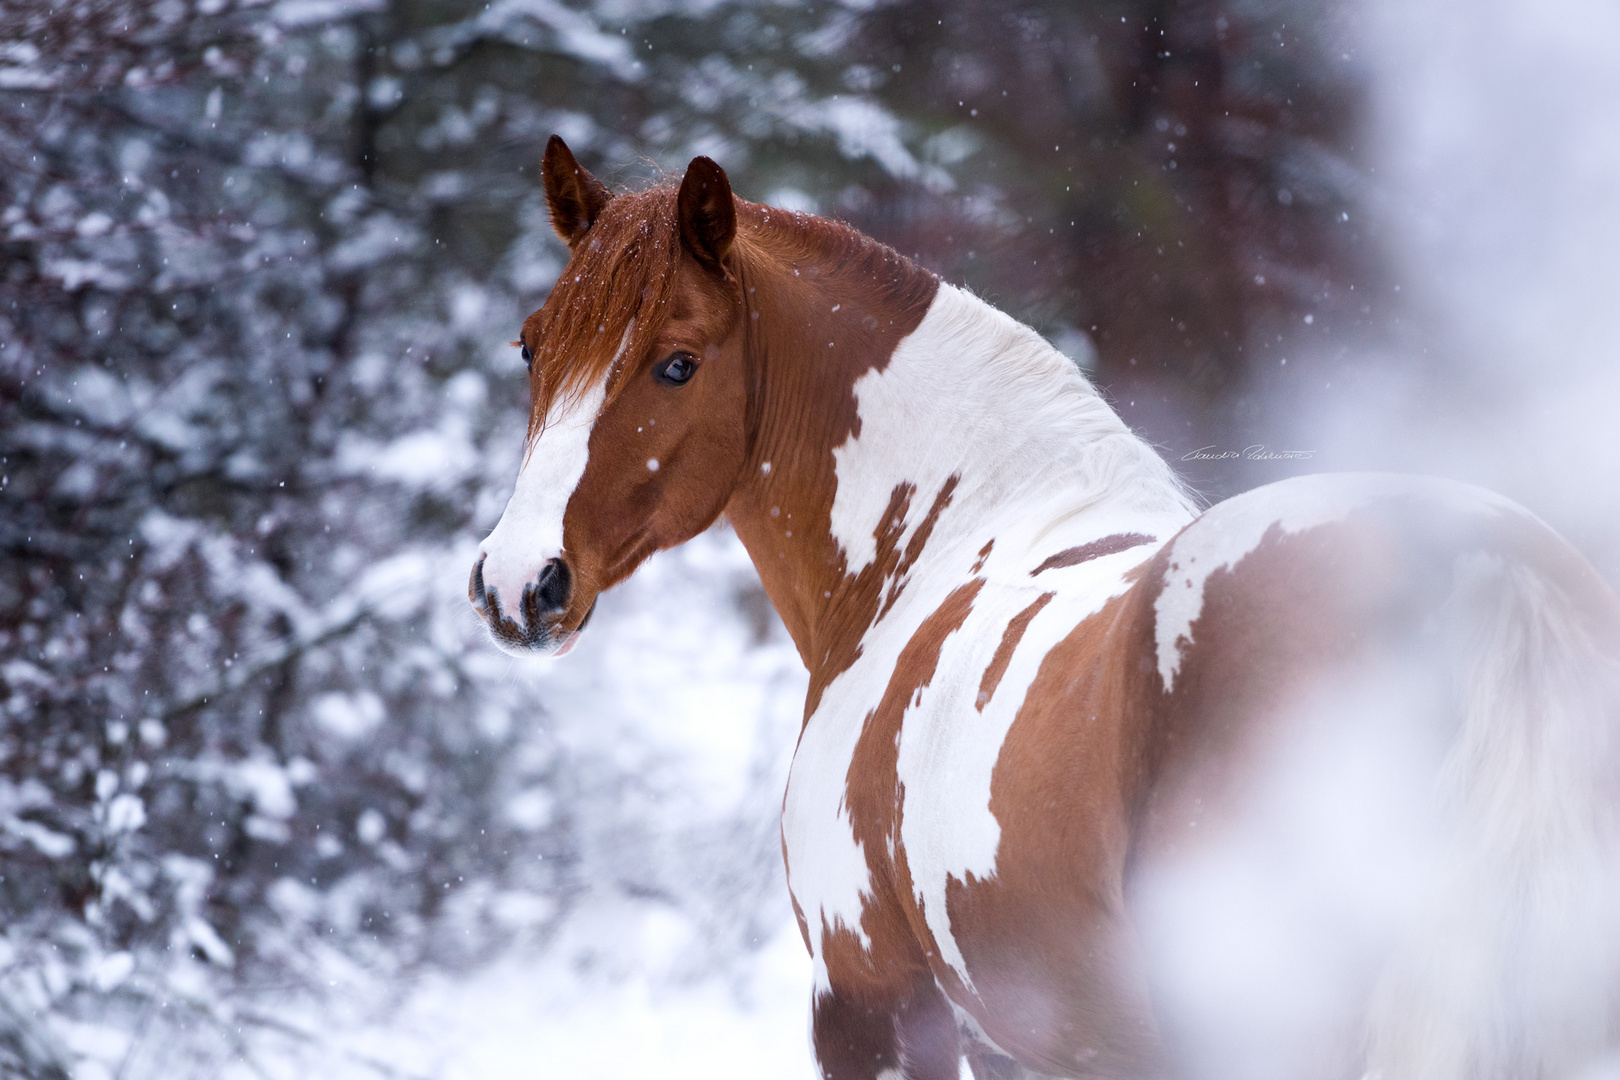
709, 704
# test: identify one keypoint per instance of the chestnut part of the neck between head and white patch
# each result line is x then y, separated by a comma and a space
824, 307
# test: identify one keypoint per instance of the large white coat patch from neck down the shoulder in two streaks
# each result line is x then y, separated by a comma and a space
1044, 466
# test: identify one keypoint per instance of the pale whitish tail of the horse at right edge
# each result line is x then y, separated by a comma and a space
1516, 972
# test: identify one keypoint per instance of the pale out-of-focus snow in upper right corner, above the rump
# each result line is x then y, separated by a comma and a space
1496, 164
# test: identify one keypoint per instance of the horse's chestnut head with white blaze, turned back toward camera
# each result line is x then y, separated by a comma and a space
639, 428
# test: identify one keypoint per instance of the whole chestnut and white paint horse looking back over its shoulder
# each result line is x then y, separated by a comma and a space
1319, 783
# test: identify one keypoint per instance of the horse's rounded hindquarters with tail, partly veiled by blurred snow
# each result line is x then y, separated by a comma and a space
1363, 687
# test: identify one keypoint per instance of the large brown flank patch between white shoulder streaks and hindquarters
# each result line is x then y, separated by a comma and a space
1047, 938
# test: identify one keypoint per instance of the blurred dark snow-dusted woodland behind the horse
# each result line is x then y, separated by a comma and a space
258, 268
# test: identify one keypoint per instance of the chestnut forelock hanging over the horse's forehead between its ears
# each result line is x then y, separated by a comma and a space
610, 302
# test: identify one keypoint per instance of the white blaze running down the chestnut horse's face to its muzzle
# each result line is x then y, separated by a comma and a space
531, 532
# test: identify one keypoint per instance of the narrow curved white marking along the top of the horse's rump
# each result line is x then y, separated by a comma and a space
1227, 534
